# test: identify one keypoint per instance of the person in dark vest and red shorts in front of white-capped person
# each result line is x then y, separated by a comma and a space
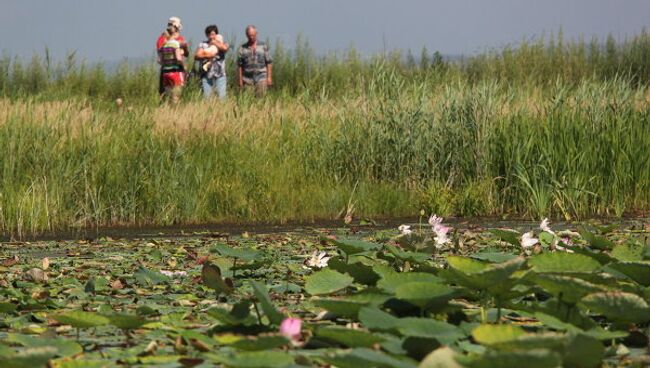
171, 57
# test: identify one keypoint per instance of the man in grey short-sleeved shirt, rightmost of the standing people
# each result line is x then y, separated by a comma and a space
255, 69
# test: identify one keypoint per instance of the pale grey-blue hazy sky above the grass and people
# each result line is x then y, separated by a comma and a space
114, 29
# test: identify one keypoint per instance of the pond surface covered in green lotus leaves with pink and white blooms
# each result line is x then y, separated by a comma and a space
540, 297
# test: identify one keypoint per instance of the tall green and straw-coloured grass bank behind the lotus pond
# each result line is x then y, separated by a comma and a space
374, 137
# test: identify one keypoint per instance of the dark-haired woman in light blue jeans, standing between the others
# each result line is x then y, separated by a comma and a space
212, 55
